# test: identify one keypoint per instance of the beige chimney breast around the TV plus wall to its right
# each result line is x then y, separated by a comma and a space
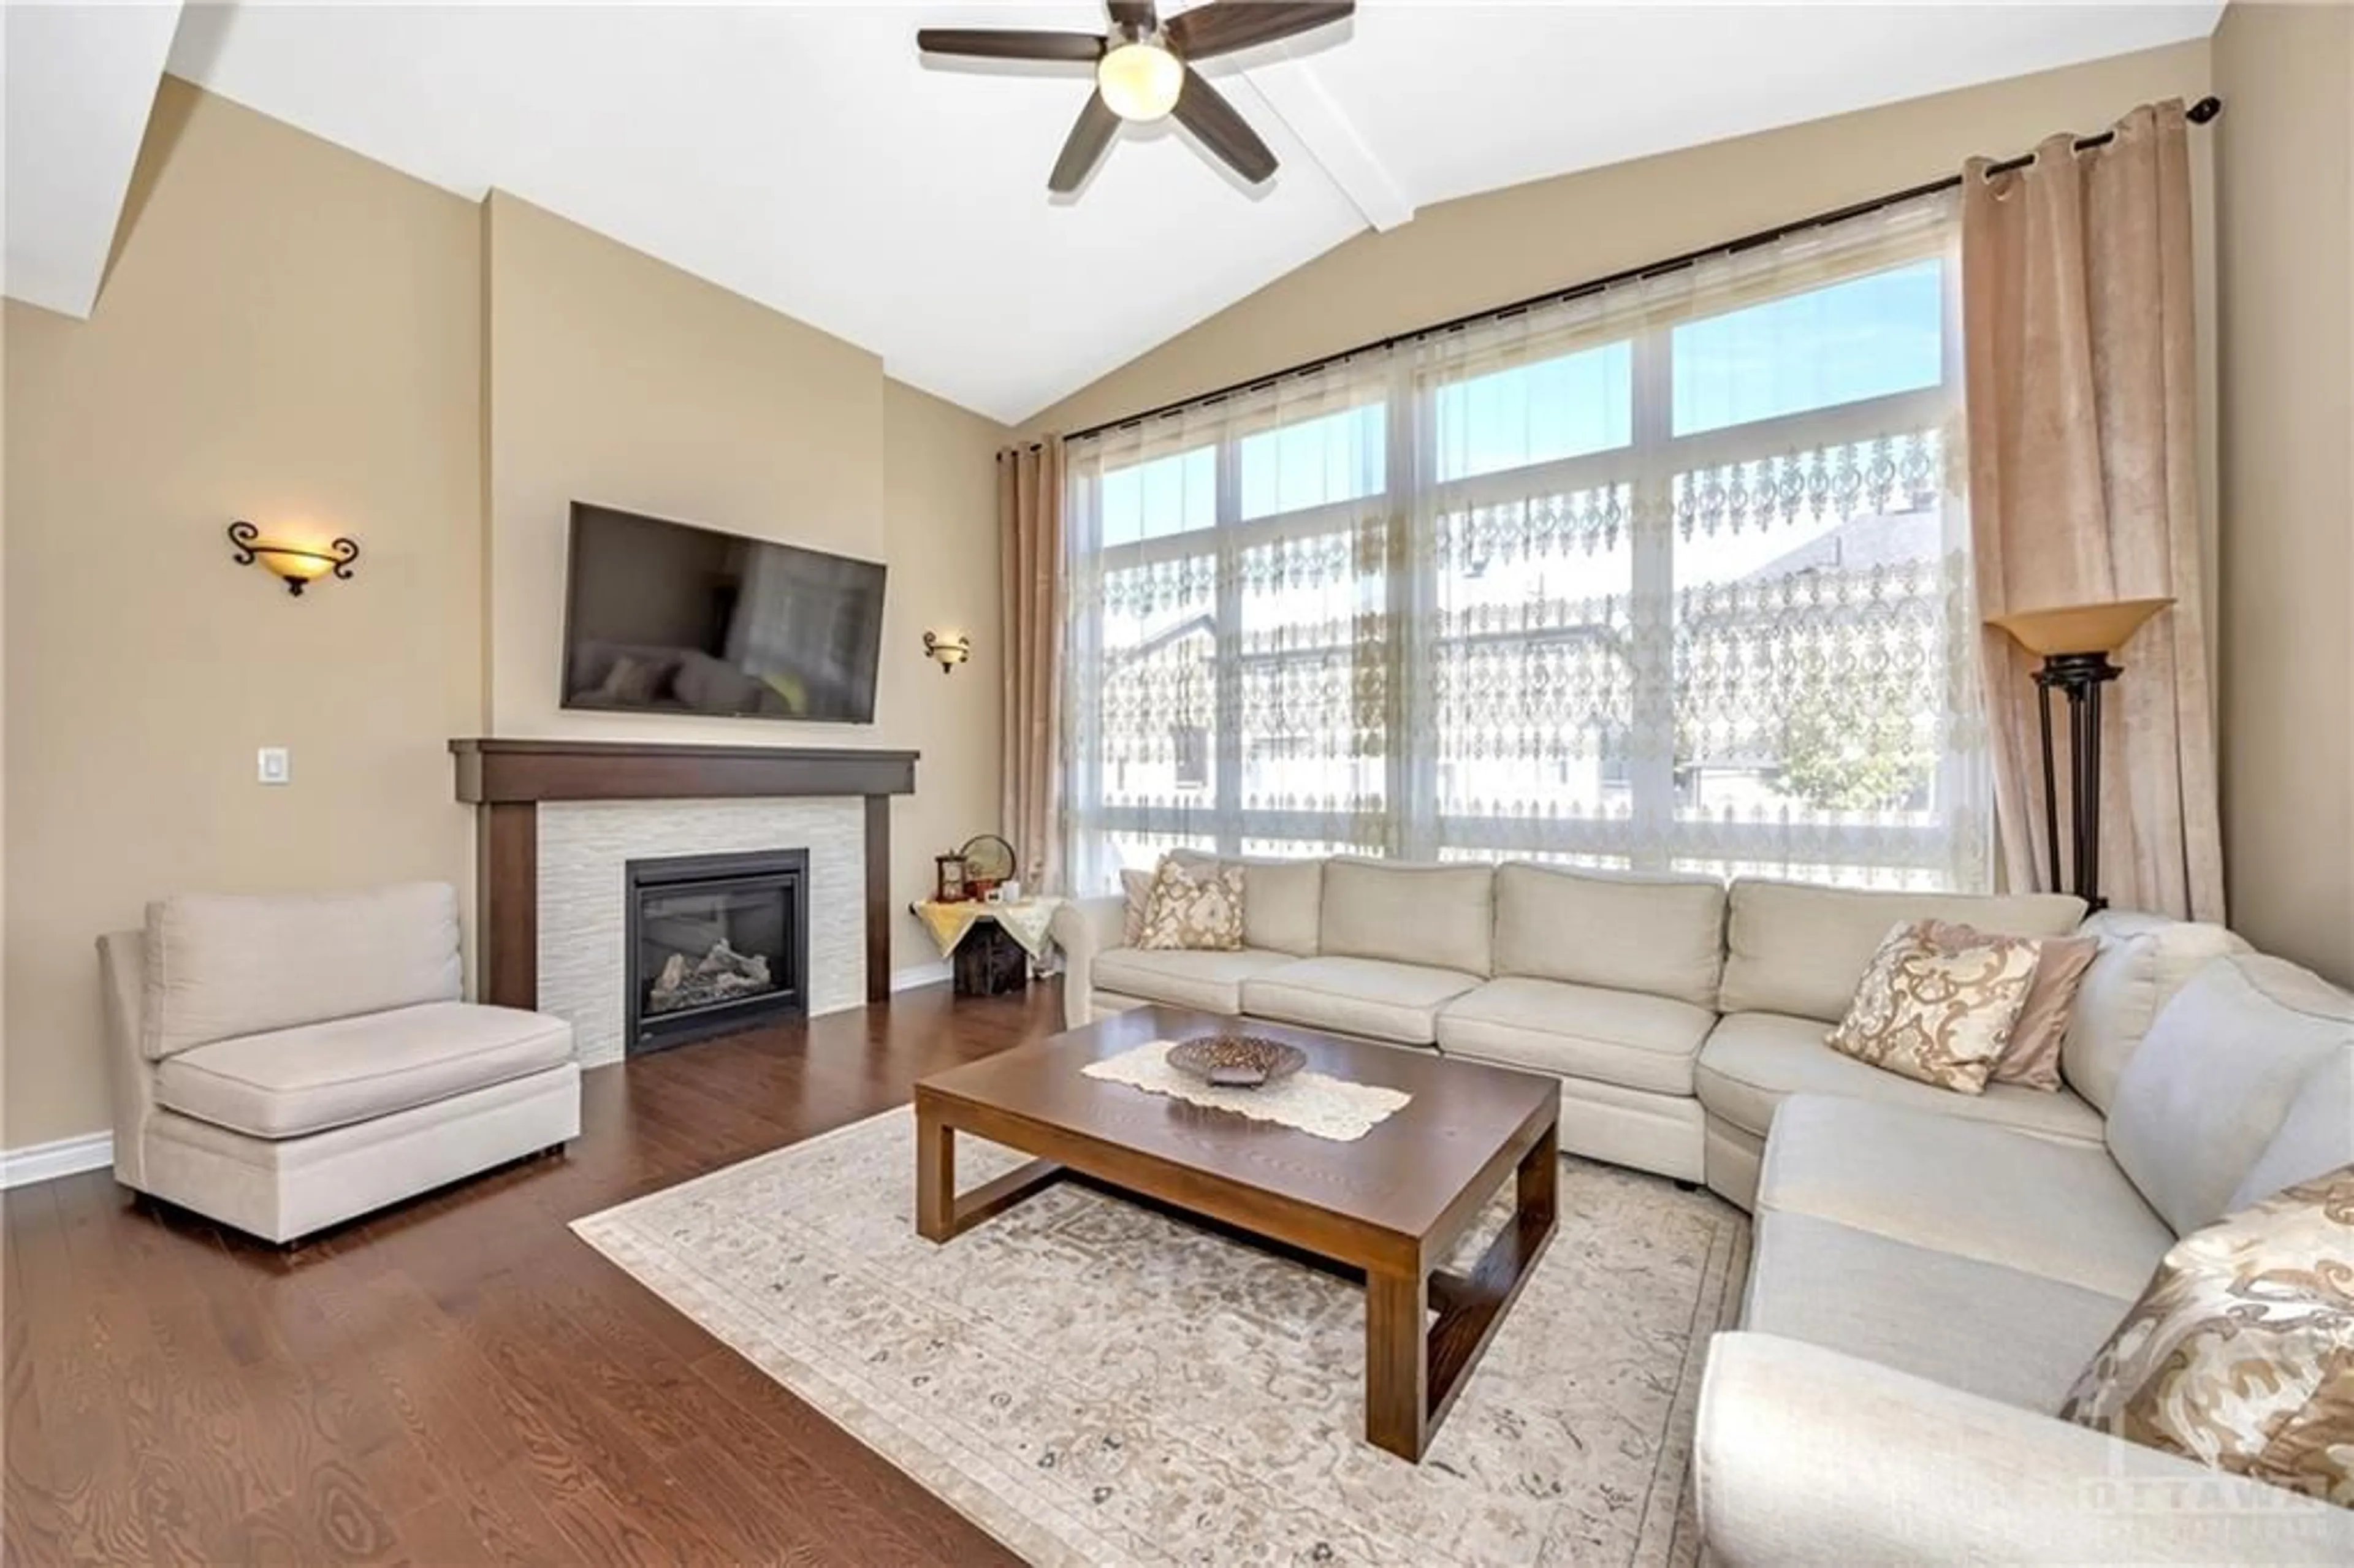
616, 378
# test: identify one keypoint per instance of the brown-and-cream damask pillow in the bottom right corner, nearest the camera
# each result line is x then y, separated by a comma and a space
2242, 1350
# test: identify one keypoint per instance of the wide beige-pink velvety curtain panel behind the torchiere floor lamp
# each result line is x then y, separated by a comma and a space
2084, 489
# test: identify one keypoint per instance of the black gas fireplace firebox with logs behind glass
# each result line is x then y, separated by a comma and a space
717, 943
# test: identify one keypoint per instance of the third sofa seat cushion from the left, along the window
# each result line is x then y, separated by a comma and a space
1578, 1032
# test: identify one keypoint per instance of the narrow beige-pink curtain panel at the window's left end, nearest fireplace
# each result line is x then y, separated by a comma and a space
1030, 569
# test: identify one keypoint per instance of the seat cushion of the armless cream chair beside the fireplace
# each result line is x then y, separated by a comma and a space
319, 1077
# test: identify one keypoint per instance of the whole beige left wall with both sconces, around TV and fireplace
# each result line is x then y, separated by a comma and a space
310, 340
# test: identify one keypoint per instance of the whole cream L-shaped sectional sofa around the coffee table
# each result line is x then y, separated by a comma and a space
1931, 1273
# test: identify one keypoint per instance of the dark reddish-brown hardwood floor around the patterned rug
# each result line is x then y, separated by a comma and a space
460, 1381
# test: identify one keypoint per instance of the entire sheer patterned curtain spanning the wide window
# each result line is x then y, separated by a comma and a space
1668, 578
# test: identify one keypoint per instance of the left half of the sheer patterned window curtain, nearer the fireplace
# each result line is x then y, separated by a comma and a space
1228, 602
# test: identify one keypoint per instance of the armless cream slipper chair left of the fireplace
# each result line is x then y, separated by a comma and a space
291, 1063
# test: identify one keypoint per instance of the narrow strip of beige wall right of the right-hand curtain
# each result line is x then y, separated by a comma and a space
2287, 295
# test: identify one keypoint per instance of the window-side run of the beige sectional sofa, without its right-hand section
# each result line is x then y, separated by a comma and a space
1675, 1011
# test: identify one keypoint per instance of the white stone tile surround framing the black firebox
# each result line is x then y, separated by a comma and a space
583, 896
